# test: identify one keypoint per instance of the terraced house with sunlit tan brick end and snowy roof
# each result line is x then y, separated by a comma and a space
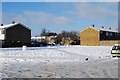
92, 36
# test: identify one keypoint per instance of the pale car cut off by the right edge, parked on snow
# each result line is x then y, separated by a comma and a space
115, 50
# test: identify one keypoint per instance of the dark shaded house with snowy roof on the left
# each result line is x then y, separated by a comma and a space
14, 35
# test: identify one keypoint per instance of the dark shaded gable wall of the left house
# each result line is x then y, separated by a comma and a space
18, 33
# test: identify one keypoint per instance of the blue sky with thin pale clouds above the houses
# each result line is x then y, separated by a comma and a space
58, 16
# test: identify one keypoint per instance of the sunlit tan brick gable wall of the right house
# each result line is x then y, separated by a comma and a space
90, 37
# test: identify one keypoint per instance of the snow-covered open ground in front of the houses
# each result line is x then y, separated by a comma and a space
58, 62
